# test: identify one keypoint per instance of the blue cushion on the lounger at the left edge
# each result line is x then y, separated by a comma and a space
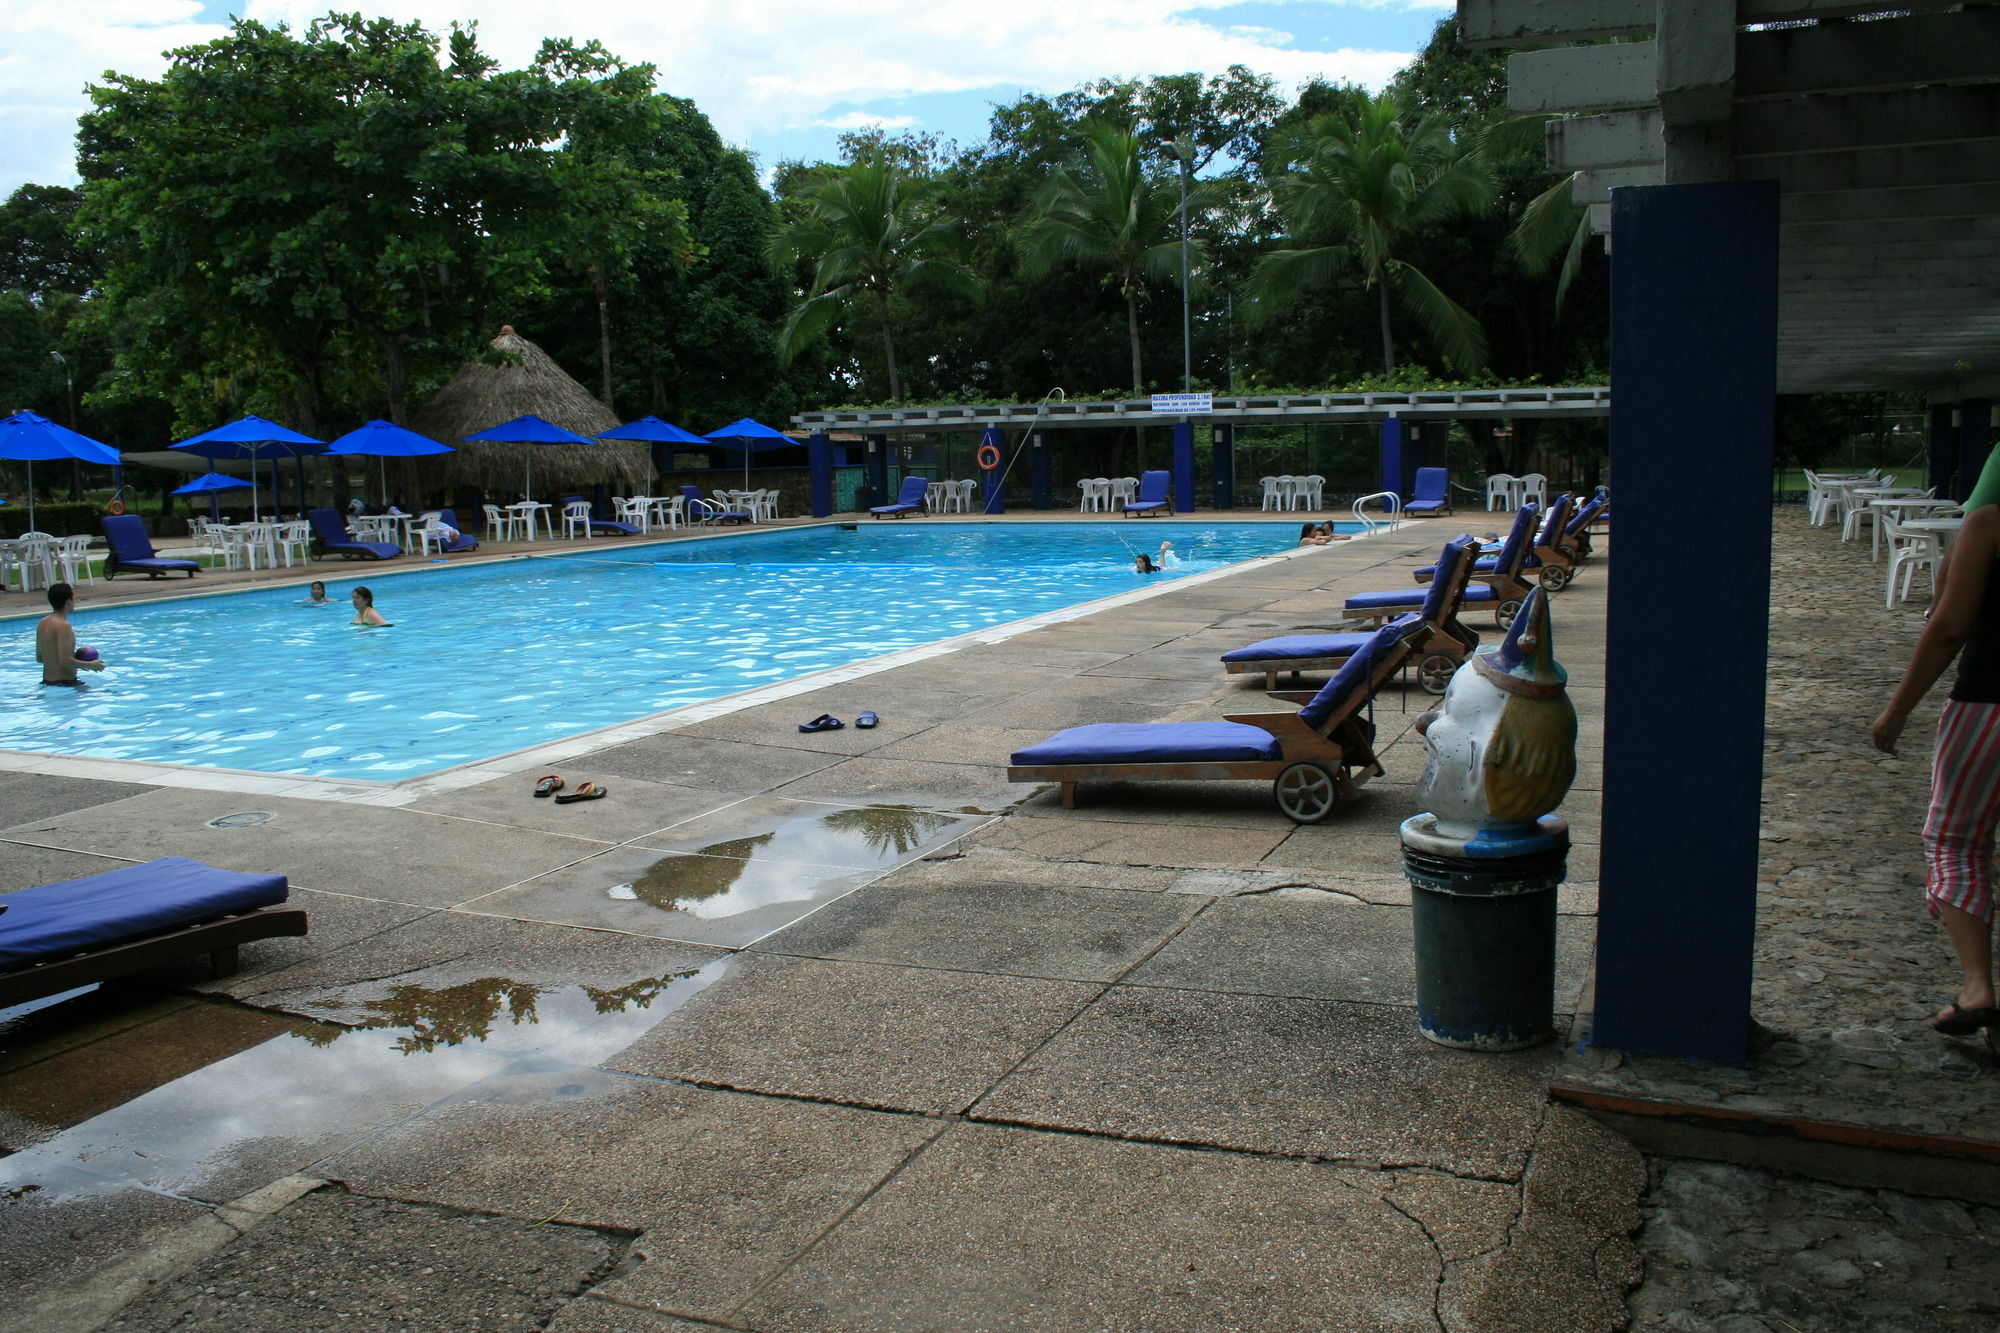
127, 904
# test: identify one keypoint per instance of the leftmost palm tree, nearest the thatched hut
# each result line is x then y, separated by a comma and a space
869, 231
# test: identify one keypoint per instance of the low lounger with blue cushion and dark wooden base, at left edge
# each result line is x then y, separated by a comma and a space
67, 936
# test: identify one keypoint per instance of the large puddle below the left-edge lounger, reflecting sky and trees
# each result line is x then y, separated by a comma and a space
209, 1100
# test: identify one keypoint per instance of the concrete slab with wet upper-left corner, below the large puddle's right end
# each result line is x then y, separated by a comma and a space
723, 1188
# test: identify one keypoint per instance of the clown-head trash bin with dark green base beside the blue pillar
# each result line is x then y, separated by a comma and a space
1489, 852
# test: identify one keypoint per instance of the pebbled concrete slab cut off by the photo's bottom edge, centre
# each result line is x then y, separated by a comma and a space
1011, 1230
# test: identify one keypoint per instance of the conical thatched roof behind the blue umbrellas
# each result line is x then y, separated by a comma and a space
527, 381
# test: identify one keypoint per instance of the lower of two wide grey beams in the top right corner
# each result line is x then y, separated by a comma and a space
1867, 121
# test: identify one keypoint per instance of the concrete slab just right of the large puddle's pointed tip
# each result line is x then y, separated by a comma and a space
861, 1034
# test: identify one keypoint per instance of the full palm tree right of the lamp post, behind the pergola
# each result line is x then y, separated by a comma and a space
1359, 189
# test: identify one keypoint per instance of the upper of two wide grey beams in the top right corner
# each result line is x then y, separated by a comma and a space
1893, 53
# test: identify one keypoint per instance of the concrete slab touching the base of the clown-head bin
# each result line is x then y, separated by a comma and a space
1307, 1078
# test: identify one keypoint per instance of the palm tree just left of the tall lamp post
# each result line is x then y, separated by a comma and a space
1113, 217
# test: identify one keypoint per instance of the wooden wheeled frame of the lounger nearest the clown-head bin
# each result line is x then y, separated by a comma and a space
1319, 770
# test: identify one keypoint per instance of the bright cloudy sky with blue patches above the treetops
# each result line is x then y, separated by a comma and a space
781, 79
